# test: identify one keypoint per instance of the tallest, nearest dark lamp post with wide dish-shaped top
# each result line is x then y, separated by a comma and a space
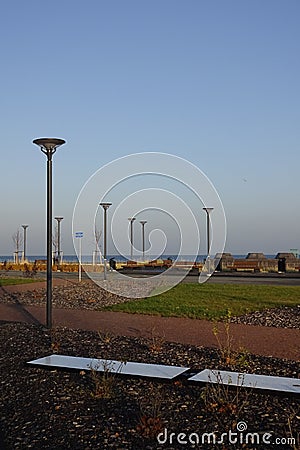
49, 146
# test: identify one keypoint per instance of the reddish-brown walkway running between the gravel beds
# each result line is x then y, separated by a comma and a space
267, 341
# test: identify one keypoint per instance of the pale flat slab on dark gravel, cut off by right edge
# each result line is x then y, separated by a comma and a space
282, 384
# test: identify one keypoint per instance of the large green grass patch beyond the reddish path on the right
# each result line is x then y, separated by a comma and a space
212, 301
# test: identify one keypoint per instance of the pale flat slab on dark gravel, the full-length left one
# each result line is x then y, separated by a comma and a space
102, 365
